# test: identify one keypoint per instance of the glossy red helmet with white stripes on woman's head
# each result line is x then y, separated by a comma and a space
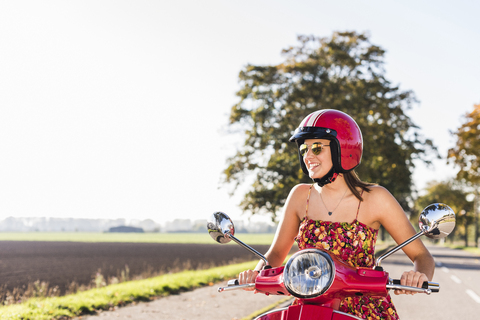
339, 128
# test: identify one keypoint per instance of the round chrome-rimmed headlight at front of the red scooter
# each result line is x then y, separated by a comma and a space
309, 273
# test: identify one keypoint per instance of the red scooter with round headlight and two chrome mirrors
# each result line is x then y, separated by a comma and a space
320, 280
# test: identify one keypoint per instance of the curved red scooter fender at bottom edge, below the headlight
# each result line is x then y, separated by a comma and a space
306, 312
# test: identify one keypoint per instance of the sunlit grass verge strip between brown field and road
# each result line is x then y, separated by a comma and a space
88, 302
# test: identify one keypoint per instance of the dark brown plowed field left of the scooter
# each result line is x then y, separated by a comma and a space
61, 263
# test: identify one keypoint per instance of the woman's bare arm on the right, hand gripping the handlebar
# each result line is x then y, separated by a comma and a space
392, 217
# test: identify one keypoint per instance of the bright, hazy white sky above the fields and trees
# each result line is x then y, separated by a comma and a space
118, 109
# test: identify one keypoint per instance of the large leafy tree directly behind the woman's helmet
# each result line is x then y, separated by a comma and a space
344, 72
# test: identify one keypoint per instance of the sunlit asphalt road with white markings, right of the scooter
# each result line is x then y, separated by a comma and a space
458, 273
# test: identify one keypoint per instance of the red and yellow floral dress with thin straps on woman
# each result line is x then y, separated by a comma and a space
354, 243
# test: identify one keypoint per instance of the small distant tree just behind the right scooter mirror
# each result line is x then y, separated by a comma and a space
451, 193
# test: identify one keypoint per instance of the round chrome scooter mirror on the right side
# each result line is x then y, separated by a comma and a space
437, 221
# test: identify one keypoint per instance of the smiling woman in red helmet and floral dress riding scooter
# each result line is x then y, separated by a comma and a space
340, 213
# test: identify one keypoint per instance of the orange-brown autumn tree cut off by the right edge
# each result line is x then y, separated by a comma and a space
466, 156
